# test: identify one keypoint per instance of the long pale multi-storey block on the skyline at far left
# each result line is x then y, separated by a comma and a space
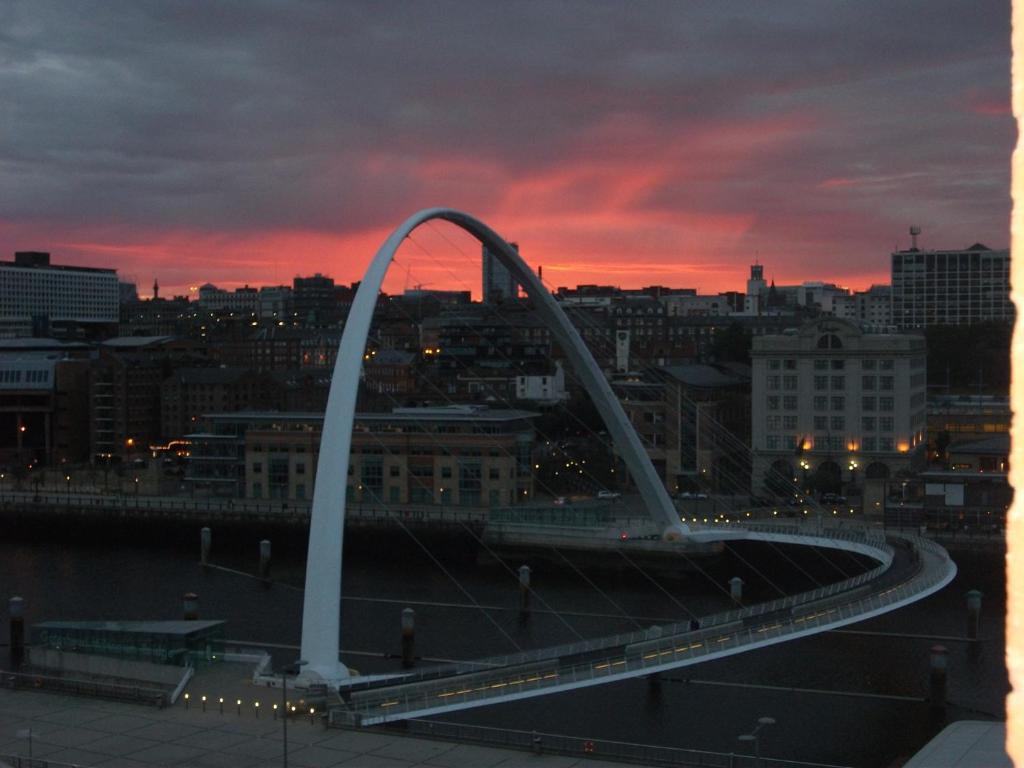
37, 295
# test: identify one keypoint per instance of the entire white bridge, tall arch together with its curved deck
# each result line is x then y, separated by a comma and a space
909, 568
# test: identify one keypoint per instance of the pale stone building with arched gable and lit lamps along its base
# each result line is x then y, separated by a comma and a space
833, 405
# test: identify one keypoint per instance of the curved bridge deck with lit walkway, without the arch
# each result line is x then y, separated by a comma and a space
910, 570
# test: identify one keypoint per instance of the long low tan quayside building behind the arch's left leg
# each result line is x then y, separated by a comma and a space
453, 455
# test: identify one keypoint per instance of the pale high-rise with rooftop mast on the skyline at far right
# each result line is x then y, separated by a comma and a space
951, 288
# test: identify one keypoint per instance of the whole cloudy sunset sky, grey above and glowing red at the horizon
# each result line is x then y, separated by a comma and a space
621, 143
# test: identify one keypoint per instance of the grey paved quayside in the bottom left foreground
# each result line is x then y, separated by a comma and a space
91, 733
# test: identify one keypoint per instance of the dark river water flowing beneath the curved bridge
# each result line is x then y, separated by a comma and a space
70, 574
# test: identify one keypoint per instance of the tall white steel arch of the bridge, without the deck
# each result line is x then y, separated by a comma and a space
321, 611
